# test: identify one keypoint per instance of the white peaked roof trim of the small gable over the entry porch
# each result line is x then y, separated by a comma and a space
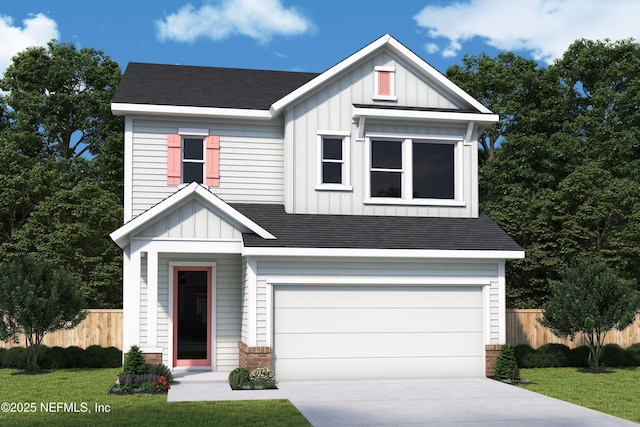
122, 236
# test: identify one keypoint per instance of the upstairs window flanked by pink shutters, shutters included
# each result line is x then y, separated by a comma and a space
193, 156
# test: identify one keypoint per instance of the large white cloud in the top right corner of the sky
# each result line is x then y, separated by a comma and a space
545, 28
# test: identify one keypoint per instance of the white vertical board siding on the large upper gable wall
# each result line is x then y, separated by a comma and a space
330, 109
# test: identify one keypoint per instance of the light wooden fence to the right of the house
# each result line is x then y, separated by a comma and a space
523, 328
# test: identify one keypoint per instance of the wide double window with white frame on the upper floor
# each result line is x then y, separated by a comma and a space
418, 171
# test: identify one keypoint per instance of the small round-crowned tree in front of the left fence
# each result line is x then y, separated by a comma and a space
37, 298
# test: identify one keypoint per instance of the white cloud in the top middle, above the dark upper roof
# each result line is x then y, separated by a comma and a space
258, 19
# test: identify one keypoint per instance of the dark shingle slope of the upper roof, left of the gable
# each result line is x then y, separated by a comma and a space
181, 85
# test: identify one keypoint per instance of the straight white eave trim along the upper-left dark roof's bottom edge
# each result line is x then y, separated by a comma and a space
120, 109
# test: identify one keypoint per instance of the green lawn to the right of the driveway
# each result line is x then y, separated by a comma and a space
617, 393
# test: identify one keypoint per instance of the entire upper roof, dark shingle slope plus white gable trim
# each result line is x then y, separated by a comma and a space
258, 94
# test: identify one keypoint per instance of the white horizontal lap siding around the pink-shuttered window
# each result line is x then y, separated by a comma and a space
251, 161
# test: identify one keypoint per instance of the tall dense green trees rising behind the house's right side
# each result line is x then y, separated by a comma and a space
563, 181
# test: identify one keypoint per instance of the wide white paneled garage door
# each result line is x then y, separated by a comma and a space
352, 332
